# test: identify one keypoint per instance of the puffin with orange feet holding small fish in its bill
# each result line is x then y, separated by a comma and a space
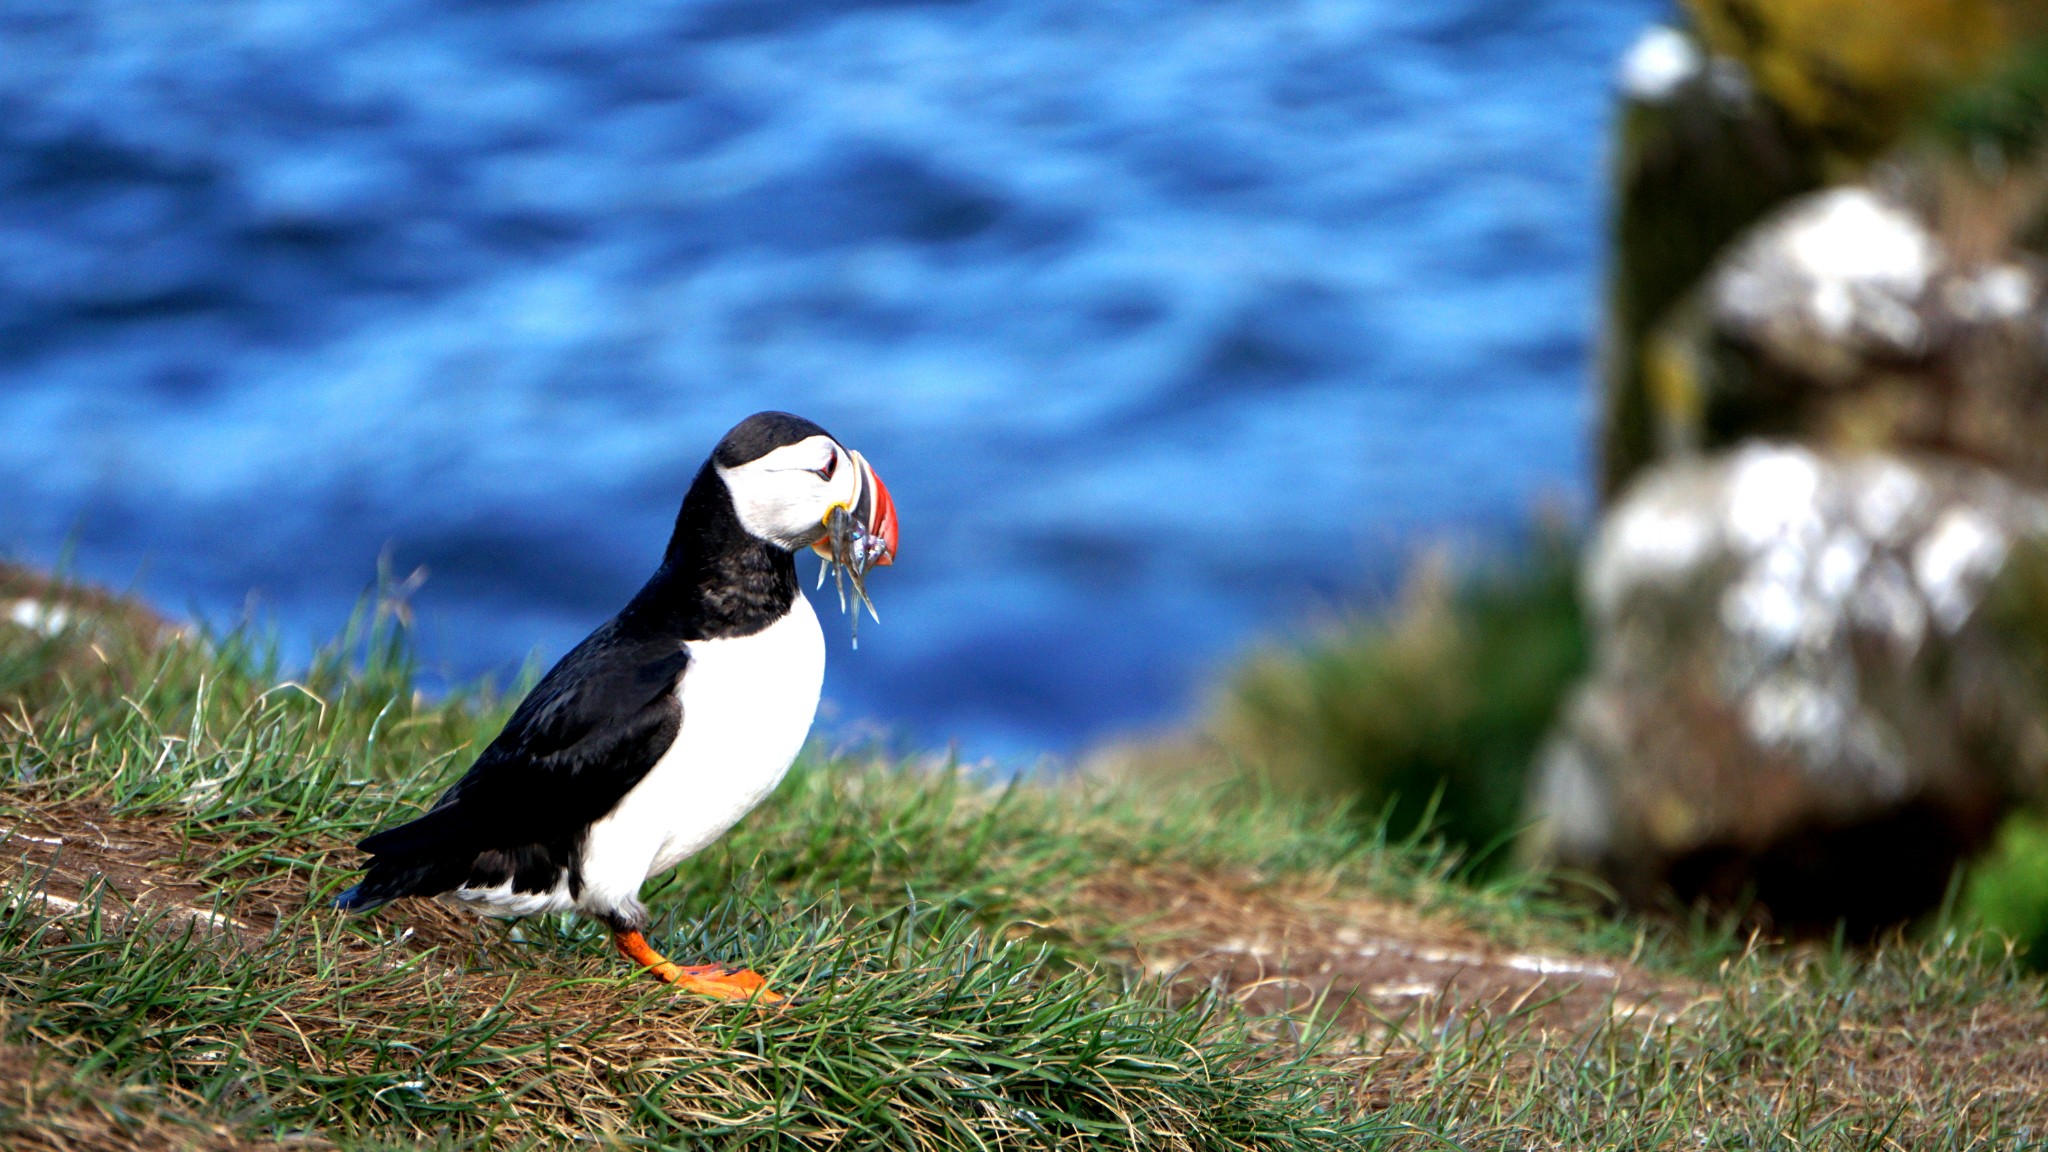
669, 723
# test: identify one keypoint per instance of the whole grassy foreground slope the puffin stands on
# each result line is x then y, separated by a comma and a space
974, 966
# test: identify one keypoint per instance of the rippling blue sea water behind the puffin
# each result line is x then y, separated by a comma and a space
1166, 321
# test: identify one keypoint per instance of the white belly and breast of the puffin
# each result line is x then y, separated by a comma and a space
746, 710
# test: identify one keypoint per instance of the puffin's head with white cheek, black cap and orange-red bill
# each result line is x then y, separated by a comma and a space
785, 477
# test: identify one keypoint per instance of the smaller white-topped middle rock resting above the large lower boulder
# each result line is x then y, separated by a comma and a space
1852, 319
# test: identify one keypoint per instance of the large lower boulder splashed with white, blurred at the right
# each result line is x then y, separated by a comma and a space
1795, 692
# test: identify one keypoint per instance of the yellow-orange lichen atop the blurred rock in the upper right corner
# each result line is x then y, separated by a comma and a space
1861, 71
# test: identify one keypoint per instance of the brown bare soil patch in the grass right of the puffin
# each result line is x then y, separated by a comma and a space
1283, 952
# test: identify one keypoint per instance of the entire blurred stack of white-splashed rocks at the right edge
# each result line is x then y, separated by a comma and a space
1826, 462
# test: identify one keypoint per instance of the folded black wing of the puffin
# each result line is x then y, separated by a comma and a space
589, 733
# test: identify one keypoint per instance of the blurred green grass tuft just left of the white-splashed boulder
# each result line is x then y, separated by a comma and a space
1431, 714
